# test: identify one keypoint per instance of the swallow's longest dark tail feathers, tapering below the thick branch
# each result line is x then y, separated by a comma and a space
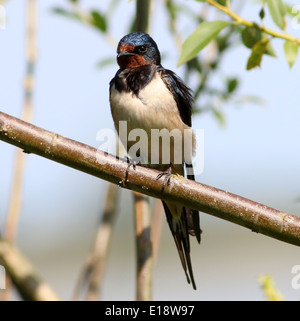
180, 232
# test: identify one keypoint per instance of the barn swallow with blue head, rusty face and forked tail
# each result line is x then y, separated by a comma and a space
149, 97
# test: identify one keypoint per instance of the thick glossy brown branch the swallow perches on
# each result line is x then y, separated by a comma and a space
231, 207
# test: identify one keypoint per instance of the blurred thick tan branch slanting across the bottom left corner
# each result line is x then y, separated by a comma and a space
24, 277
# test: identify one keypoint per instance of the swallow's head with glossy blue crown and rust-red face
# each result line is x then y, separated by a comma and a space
137, 49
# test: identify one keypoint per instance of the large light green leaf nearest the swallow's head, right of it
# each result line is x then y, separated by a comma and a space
201, 37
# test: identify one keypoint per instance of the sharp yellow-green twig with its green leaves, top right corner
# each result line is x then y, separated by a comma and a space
255, 36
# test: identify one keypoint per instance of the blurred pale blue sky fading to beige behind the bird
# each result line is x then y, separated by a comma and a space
257, 156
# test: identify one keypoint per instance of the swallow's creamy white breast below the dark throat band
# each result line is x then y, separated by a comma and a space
154, 108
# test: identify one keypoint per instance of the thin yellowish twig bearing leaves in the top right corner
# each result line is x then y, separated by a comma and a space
241, 21
